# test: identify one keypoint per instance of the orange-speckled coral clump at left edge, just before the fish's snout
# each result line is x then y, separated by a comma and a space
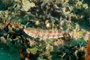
15, 25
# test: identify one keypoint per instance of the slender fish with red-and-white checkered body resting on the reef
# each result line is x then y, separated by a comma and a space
36, 33
